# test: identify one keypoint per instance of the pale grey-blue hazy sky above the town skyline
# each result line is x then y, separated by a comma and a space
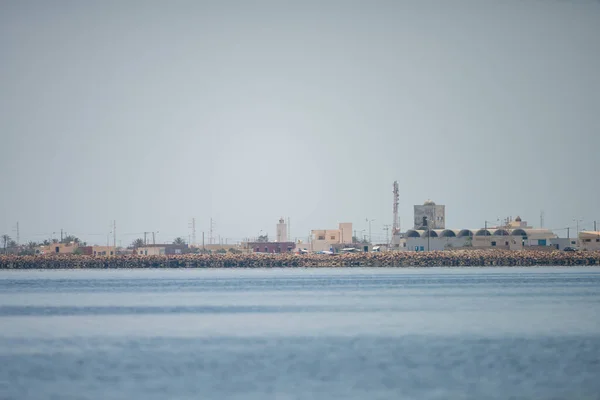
151, 113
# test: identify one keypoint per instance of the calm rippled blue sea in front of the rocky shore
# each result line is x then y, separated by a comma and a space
436, 333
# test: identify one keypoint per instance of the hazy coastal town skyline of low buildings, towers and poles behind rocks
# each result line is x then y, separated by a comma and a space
429, 232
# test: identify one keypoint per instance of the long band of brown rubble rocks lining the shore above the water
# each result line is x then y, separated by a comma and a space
453, 258
